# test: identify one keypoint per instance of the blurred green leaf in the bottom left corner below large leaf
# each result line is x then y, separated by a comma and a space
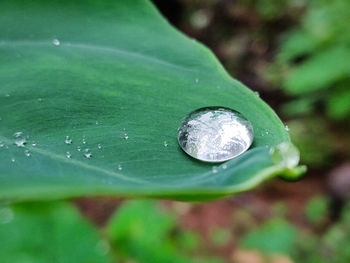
45, 232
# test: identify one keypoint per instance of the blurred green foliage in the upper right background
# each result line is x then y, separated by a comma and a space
313, 60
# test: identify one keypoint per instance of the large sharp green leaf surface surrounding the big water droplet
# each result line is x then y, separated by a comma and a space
121, 77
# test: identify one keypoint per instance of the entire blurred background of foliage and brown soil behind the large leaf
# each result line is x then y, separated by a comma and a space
296, 55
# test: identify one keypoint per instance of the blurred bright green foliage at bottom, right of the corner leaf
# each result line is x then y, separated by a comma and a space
141, 231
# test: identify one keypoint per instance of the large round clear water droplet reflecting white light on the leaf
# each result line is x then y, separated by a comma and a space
215, 134
